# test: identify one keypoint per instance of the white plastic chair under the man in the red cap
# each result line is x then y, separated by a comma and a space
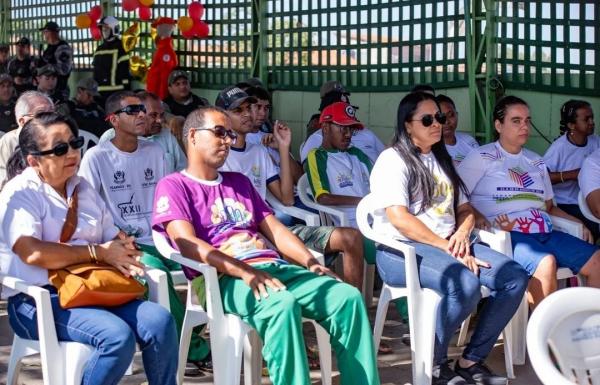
326, 214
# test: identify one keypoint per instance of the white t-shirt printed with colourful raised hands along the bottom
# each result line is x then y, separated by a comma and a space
510, 190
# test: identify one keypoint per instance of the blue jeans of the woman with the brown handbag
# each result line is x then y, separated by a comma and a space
113, 332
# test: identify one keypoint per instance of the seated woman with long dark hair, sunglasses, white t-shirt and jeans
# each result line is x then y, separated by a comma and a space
423, 204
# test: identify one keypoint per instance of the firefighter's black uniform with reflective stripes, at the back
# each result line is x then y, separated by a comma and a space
111, 68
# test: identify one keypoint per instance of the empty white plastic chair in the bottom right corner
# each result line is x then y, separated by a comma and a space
566, 324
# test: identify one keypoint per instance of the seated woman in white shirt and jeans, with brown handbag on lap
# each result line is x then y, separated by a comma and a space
42, 188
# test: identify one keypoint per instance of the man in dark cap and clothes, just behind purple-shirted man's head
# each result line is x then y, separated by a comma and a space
181, 101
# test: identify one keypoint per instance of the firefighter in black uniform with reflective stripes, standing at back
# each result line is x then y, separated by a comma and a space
111, 62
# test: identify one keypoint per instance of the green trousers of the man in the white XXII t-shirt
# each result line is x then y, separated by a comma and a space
199, 348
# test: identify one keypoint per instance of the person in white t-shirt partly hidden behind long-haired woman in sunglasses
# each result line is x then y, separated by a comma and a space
458, 144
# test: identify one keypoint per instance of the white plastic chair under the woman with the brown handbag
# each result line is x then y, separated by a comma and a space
62, 362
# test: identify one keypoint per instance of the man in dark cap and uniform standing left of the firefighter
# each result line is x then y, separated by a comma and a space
60, 54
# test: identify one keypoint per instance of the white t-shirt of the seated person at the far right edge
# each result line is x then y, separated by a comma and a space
563, 155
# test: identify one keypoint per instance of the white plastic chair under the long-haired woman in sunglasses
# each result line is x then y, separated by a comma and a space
422, 303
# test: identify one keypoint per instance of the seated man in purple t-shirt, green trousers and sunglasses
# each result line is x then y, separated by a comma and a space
219, 218
